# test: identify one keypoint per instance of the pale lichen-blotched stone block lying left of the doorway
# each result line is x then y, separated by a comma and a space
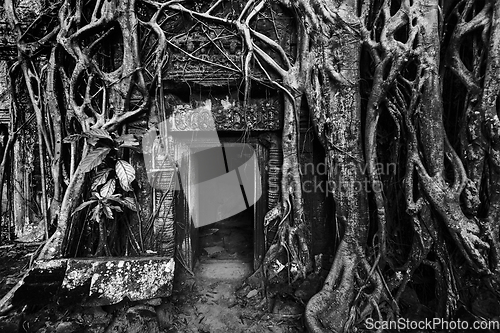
108, 281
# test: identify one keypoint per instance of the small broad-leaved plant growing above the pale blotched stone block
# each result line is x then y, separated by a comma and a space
112, 181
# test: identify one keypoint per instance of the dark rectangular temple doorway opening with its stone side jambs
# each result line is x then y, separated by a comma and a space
239, 238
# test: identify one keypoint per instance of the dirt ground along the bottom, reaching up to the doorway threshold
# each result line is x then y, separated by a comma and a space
215, 299
